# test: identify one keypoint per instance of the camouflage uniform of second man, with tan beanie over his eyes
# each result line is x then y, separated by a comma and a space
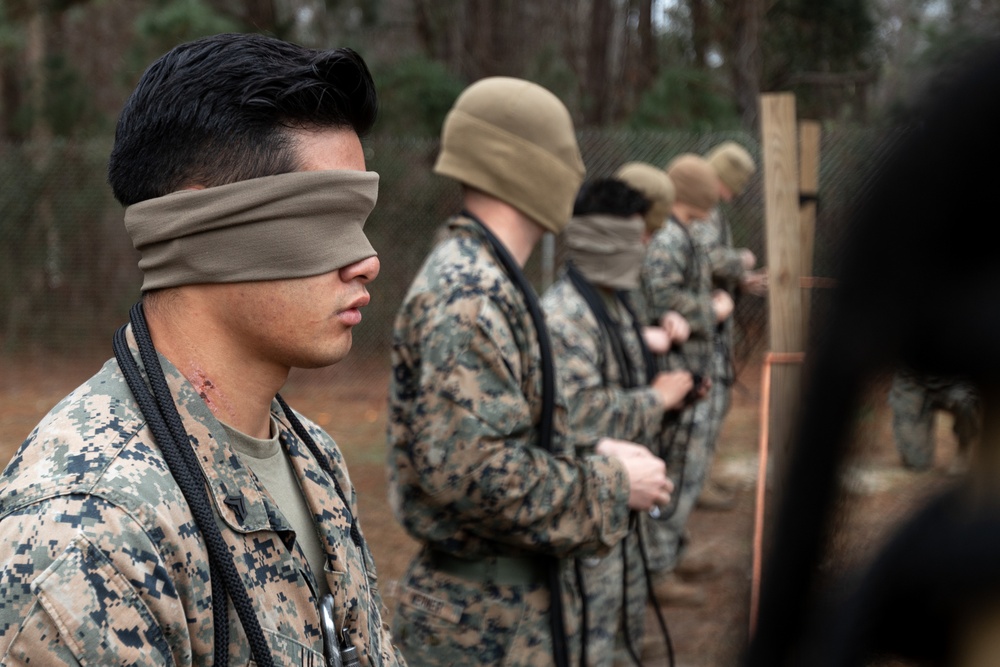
467, 477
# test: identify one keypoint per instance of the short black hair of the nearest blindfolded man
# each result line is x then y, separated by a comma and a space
216, 110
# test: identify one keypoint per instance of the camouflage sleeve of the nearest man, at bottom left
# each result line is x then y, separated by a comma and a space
73, 599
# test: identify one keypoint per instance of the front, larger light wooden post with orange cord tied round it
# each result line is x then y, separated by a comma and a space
779, 143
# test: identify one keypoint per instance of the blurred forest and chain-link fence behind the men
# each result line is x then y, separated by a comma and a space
644, 79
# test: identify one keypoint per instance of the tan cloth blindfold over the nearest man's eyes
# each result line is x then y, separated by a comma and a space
287, 226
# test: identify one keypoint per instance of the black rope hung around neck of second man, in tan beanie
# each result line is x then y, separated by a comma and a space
560, 649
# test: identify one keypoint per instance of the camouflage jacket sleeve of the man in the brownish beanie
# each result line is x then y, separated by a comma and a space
663, 280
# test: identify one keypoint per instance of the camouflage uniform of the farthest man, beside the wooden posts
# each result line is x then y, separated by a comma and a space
714, 239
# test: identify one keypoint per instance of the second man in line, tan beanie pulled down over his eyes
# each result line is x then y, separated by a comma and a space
482, 472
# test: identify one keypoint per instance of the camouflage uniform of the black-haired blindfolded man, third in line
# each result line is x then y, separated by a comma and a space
600, 404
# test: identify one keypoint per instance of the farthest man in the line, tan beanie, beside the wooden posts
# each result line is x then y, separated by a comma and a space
732, 271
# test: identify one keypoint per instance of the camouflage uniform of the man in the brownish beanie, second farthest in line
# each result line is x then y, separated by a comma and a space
675, 276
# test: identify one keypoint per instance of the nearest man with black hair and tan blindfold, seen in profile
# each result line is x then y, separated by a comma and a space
173, 510
